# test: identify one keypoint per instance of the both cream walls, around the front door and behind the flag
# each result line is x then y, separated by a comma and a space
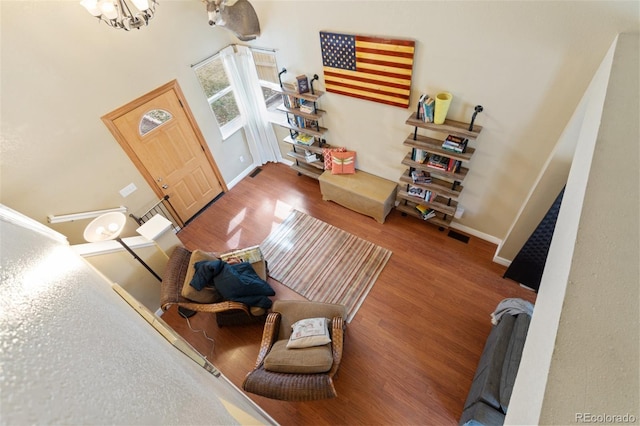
527, 63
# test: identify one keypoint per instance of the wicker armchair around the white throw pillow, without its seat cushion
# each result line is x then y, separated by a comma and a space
296, 386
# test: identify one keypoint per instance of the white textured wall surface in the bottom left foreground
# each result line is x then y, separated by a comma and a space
74, 352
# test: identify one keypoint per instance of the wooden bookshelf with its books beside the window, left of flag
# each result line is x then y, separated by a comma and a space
306, 136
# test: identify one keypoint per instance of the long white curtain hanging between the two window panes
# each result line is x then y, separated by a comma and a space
241, 70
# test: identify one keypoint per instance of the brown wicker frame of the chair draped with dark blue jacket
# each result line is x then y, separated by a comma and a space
227, 312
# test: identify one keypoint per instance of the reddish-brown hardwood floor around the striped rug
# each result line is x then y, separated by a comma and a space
412, 349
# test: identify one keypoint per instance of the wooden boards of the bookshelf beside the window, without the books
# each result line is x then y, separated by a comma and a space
311, 169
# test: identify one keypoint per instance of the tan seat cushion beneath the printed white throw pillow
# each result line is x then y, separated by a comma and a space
317, 359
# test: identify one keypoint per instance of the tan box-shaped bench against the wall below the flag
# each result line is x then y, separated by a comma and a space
361, 192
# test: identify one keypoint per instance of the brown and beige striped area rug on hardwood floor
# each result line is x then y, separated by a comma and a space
323, 263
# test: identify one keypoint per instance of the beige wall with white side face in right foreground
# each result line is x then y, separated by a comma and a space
581, 354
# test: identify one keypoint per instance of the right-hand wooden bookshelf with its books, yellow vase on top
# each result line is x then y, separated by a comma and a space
437, 164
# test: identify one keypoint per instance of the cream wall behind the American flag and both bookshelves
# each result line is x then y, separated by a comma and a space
527, 63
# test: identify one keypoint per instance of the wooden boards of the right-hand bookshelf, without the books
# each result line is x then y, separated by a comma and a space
446, 185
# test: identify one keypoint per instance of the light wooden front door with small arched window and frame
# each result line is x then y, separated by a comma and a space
161, 137
